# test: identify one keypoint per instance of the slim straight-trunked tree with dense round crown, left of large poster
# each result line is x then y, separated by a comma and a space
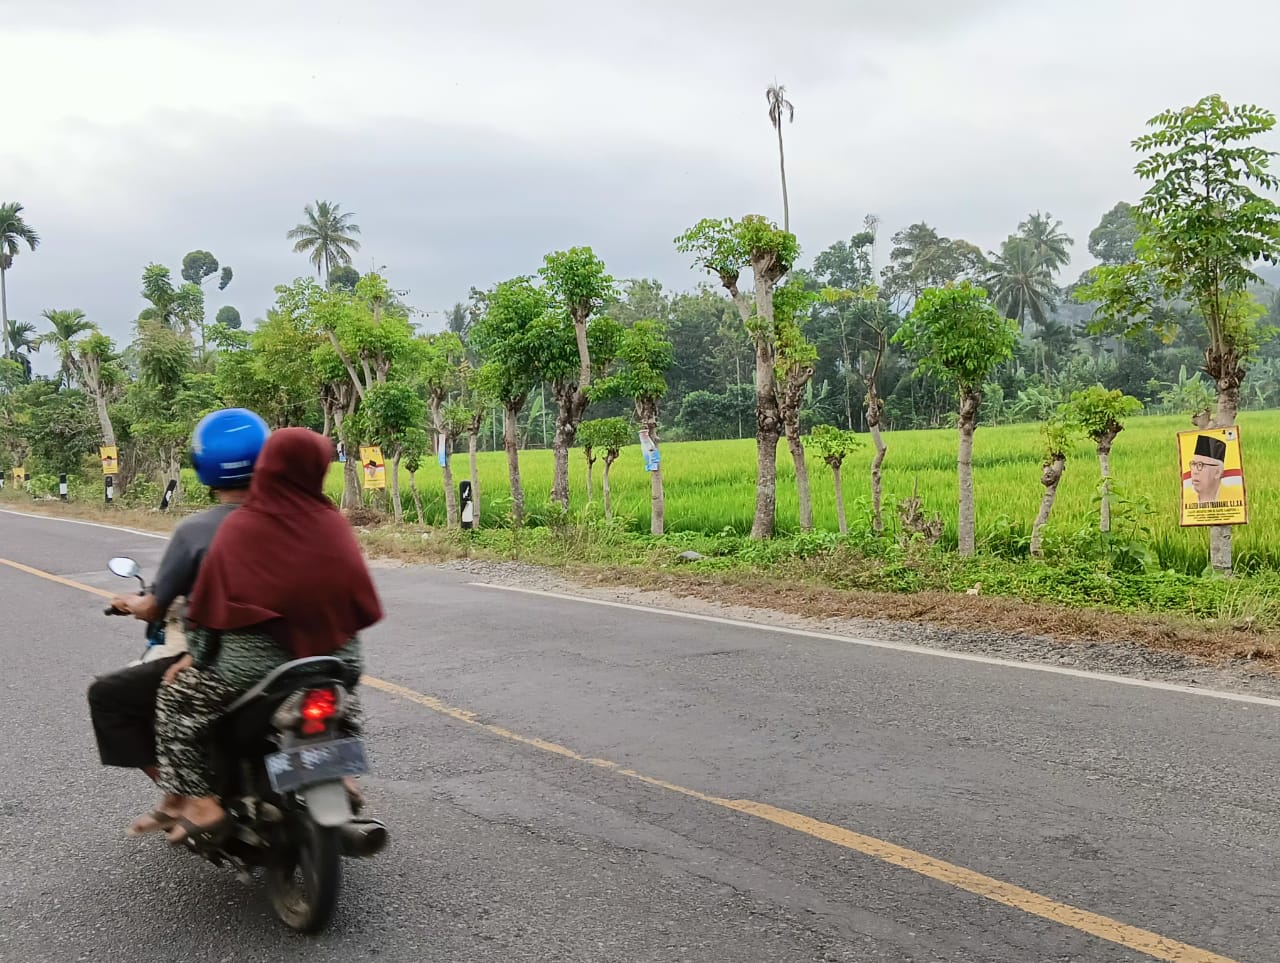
959, 336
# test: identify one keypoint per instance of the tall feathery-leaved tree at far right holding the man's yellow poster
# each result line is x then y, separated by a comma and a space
1204, 227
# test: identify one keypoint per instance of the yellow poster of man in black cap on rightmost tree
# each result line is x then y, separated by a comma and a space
1213, 478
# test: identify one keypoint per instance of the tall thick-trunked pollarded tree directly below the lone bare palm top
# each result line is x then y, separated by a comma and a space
725, 249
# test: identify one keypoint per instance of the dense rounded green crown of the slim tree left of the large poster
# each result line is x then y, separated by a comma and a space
958, 336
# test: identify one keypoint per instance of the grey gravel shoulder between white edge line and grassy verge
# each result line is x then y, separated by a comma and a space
1126, 659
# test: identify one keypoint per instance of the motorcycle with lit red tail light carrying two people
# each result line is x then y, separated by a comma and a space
280, 757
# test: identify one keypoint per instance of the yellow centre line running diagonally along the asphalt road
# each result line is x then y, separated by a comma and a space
1016, 897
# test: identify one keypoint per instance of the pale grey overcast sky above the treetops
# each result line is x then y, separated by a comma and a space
470, 139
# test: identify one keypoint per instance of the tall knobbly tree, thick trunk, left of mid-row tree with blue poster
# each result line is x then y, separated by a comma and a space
579, 287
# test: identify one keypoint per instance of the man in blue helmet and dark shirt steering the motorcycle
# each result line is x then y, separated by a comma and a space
225, 448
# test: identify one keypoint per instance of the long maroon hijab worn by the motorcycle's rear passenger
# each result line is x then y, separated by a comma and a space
286, 559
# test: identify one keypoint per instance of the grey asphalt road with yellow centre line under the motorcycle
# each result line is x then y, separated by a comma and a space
1154, 810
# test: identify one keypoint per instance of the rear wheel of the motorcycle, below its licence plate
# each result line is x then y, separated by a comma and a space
305, 875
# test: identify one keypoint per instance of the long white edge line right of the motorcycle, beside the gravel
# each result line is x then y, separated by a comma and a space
900, 647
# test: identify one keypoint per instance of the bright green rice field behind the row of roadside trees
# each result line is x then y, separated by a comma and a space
711, 486
